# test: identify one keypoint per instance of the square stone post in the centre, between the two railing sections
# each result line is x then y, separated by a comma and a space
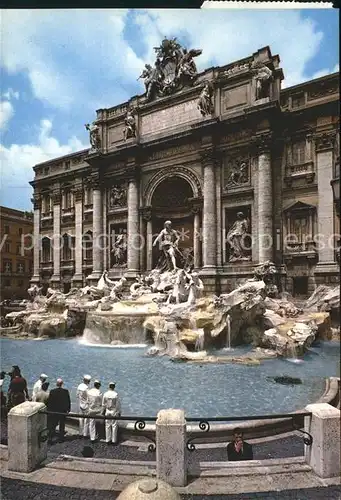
171, 447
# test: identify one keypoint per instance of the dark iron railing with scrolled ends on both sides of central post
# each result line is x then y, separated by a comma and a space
203, 423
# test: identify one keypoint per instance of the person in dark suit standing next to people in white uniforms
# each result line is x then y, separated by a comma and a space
59, 401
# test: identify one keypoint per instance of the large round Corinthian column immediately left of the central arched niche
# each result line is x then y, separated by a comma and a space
133, 250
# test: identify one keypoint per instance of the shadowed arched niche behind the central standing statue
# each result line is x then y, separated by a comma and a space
170, 200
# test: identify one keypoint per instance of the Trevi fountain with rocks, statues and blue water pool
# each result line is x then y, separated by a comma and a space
168, 344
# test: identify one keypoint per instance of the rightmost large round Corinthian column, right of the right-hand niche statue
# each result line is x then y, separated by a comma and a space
265, 229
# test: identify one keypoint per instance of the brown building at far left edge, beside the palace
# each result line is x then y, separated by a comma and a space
16, 260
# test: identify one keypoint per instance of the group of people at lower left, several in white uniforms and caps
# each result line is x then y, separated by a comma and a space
92, 403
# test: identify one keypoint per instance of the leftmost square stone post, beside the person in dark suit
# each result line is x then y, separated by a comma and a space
25, 449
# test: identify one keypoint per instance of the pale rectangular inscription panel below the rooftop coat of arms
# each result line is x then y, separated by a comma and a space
171, 117
